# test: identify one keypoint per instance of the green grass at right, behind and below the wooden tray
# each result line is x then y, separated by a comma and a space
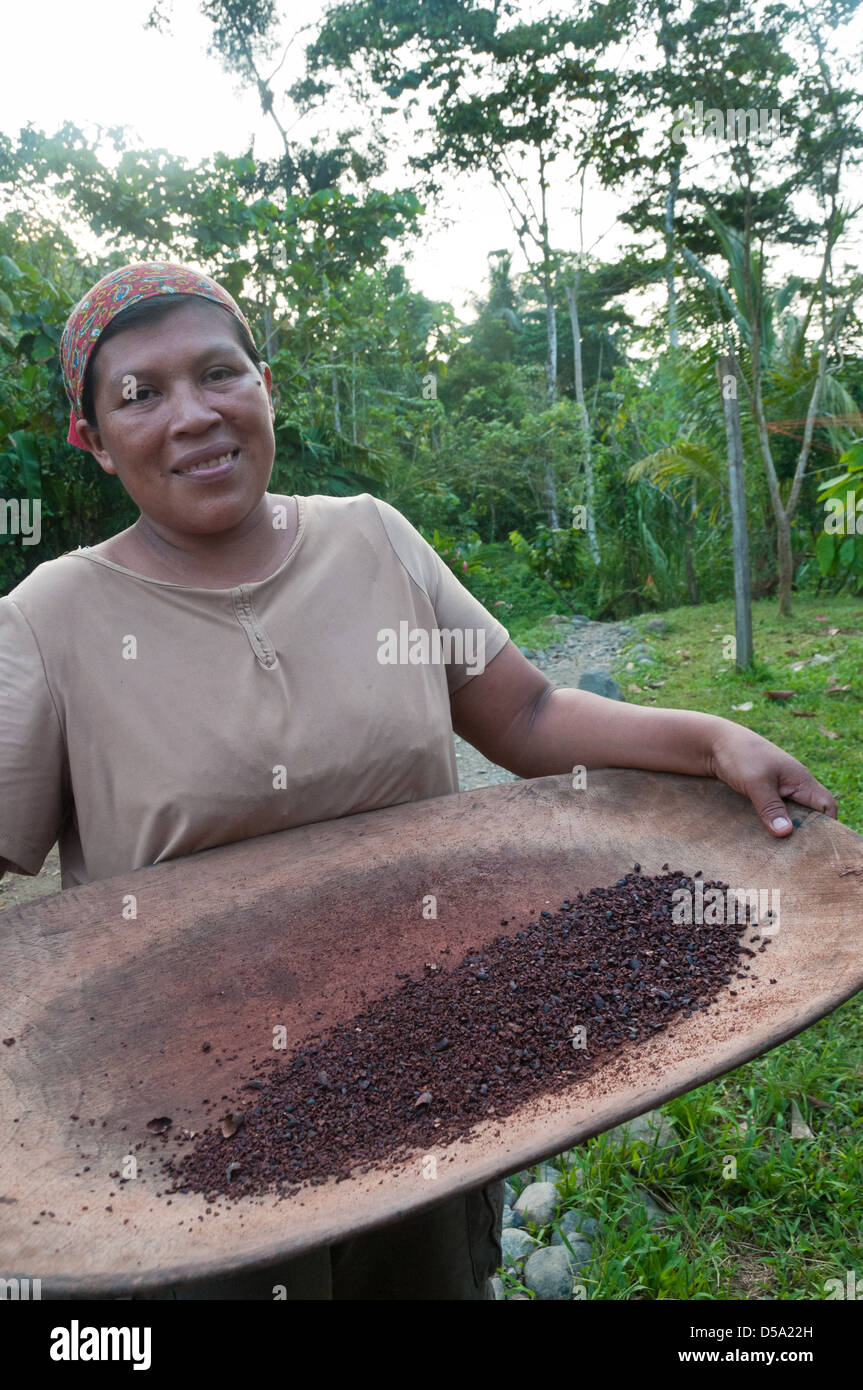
753, 1214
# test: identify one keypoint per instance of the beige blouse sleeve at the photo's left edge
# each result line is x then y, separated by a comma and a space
33, 753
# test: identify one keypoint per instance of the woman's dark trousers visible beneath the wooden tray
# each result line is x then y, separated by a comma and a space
448, 1252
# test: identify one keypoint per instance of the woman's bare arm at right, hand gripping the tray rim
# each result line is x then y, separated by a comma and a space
518, 719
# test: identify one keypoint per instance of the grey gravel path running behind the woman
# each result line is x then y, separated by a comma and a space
579, 648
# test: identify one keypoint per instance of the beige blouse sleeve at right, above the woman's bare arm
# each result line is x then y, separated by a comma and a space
473, 636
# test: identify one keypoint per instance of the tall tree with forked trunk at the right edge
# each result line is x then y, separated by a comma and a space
744, 60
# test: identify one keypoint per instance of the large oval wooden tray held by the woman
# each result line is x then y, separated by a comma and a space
305, 928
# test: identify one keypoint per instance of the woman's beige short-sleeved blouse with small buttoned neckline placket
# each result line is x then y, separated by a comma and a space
142, 721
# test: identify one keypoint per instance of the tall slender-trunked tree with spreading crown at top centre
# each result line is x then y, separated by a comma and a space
504, 98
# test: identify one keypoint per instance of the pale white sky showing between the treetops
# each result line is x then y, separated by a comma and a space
95, 63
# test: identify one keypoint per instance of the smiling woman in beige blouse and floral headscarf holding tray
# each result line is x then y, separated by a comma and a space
215, 672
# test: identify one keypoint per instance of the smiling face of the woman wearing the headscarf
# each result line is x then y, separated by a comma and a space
174, 395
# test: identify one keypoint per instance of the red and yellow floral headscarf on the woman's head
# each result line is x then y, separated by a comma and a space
108, 298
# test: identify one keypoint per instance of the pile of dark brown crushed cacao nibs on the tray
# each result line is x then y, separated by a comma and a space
422, 1065
